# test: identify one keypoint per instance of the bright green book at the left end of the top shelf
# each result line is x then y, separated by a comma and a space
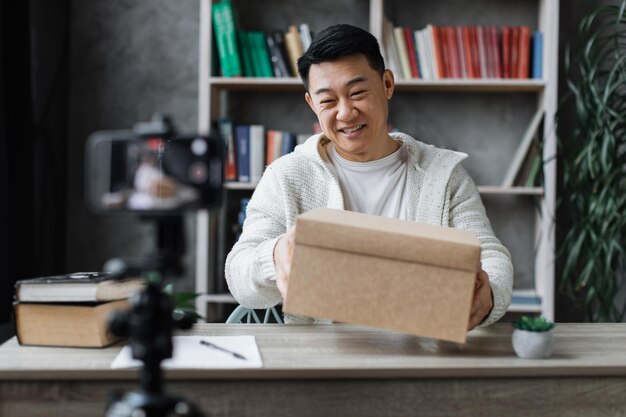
226, 38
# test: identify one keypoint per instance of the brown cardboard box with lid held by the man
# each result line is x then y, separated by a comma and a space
393, 274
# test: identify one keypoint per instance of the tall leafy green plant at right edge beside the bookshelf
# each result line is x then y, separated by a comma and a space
593, 161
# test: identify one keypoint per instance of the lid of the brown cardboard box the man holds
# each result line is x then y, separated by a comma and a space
389, 238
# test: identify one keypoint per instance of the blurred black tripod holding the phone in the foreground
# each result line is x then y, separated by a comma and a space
149, 325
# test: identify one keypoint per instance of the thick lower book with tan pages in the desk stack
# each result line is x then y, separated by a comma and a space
69, 325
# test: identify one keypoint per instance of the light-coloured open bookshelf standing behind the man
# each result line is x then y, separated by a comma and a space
483, 117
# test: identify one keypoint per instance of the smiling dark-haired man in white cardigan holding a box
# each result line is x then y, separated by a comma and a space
355, 164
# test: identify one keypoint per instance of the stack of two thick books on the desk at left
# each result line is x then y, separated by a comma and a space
70, 310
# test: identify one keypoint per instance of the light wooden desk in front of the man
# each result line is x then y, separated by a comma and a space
342, 370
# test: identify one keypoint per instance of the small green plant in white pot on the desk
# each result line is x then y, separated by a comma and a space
533, 337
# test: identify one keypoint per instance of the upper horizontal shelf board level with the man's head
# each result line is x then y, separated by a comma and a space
446, 85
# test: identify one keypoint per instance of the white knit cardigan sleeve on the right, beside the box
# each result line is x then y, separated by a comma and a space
467, 211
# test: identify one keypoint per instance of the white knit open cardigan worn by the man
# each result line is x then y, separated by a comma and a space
440, 192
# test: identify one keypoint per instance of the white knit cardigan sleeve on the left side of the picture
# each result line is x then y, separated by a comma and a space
250, 271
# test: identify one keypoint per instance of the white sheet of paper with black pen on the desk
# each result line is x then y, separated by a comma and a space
189, 353
